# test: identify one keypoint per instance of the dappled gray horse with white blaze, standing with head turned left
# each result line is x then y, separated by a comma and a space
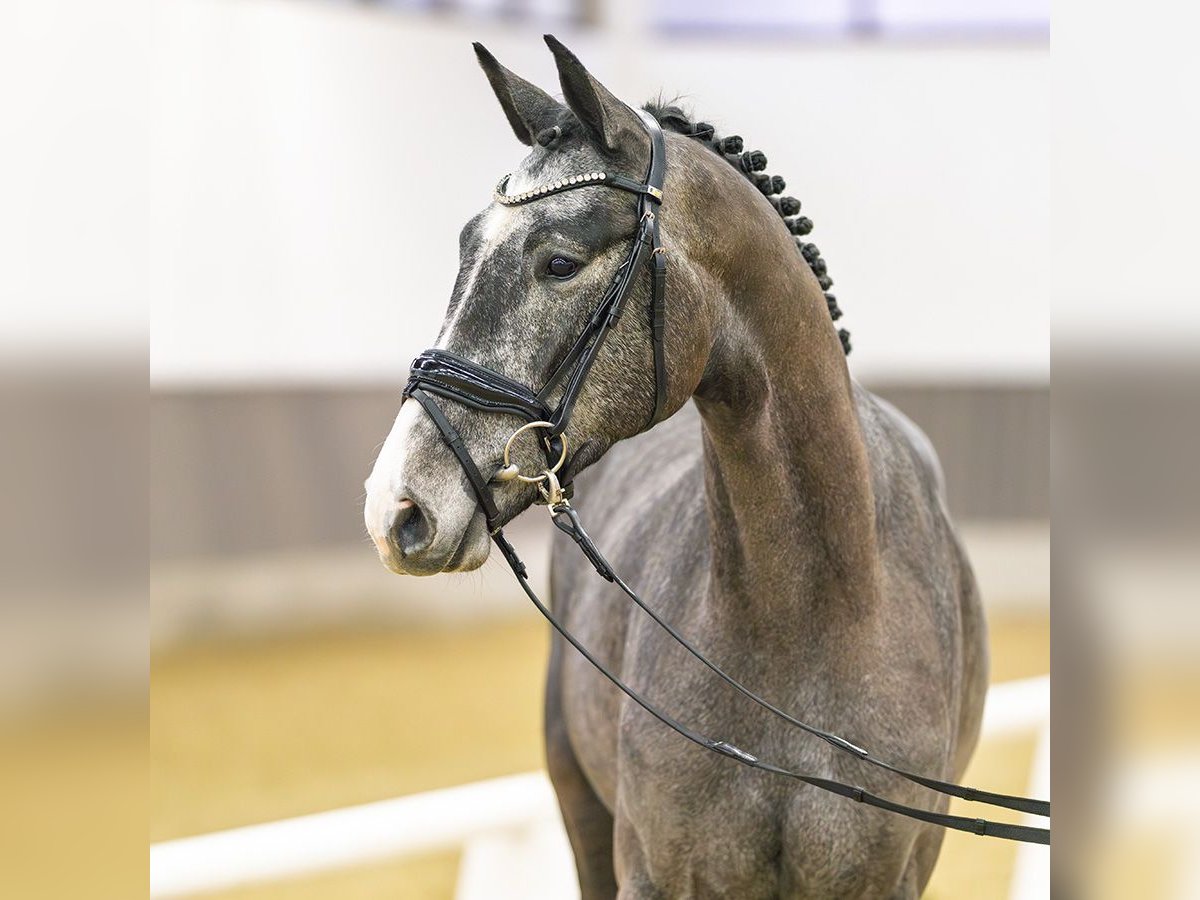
785, 520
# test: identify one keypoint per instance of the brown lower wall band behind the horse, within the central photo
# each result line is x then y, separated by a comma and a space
265, 470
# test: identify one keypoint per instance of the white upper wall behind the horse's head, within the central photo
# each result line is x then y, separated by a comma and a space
313, 166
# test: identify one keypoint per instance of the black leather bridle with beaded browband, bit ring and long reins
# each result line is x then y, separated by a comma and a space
448, 376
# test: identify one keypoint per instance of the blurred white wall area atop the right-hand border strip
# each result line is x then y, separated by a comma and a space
1126, 178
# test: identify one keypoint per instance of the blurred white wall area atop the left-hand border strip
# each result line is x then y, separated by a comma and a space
74, 199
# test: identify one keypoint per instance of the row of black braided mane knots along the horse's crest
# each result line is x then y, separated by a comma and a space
752, 165
